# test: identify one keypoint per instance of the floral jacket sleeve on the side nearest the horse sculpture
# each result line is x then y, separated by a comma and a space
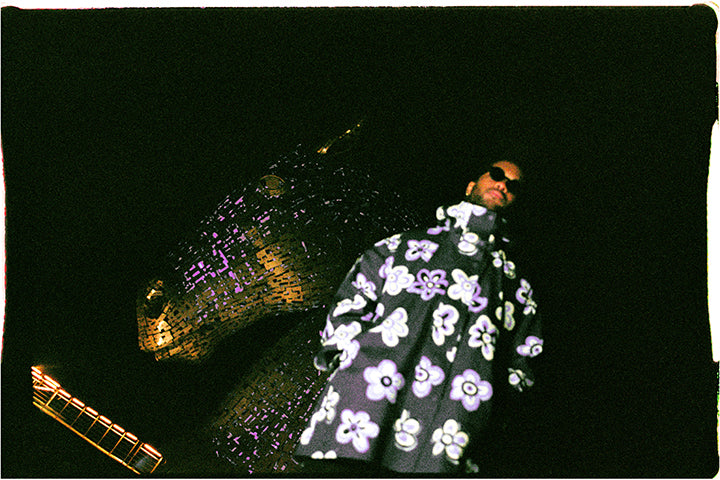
354, 308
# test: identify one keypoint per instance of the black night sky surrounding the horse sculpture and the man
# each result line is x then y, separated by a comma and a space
122, 128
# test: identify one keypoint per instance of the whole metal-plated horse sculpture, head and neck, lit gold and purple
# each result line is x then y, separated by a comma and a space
276, 247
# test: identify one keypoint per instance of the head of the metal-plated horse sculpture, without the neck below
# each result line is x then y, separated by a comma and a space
280, 245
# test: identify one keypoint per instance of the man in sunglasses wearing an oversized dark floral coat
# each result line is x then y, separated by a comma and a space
425, 332
